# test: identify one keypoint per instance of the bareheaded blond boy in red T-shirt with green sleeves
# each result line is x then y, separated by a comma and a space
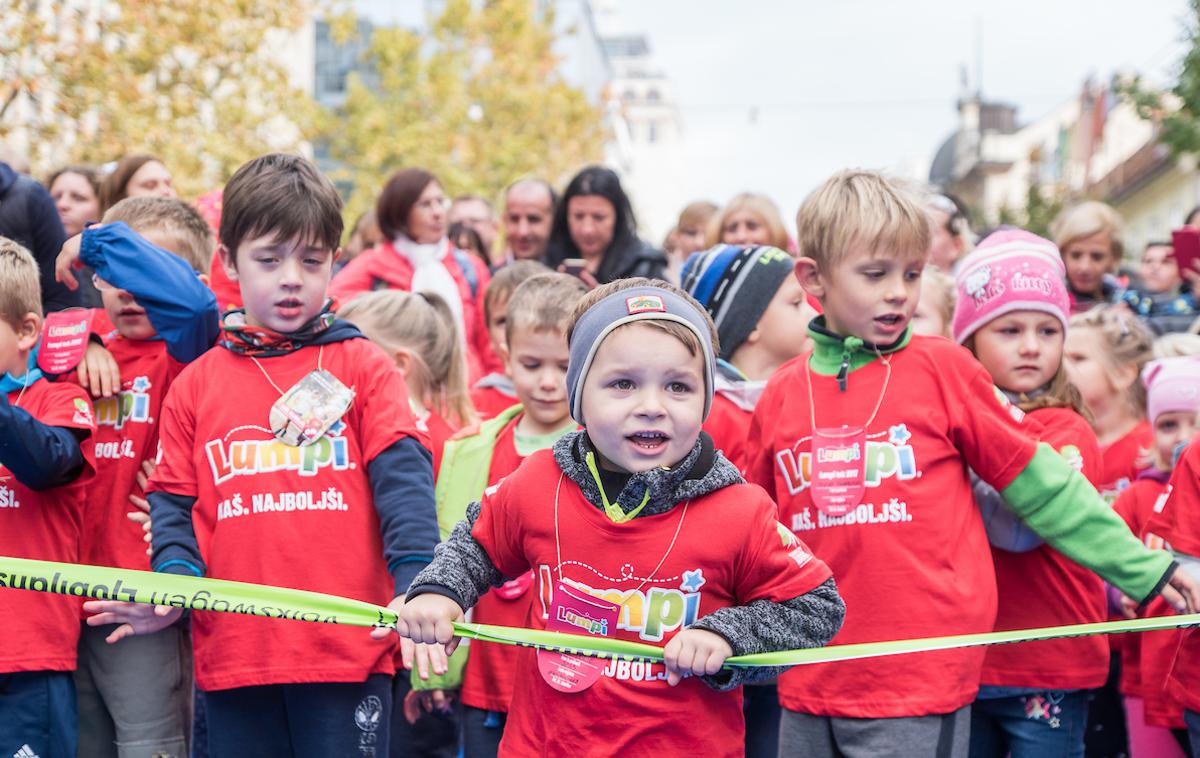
866, 442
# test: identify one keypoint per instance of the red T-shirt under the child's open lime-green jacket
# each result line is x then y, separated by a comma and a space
491, 667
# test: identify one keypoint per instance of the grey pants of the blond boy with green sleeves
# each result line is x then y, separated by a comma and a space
815, 737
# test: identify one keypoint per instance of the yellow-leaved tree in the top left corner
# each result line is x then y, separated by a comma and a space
202, 86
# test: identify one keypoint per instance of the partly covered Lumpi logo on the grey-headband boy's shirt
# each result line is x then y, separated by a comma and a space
651, 612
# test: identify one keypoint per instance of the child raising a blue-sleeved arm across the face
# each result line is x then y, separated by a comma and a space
164, 317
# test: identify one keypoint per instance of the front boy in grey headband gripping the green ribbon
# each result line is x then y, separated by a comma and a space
637, 525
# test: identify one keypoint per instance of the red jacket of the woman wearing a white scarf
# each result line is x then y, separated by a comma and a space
385, 268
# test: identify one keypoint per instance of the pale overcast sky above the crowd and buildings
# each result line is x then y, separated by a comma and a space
857, 83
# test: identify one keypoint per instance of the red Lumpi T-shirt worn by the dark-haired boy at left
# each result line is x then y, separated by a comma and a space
272, 514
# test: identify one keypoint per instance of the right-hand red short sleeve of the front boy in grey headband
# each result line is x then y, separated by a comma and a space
775, 564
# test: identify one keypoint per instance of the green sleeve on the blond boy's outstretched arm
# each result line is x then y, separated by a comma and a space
1061, 506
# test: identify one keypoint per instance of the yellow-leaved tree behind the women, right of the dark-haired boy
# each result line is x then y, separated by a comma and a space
477, 100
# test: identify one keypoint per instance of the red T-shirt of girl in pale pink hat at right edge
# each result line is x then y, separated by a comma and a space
1147, 658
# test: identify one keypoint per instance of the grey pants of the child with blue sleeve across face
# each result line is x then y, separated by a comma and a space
135, 696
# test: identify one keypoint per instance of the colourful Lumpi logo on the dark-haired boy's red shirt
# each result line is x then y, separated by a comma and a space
263, 456
